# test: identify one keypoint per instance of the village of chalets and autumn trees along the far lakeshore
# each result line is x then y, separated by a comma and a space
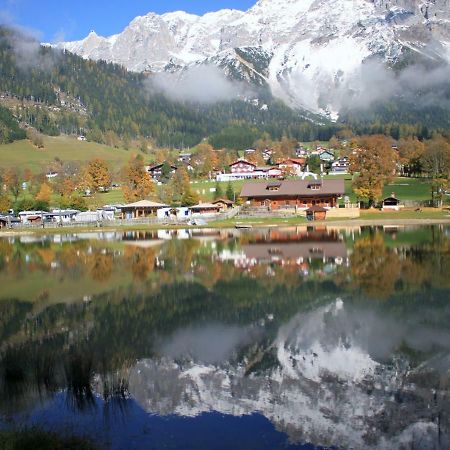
311, 183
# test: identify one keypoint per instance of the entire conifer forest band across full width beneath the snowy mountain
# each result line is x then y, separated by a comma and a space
58, 92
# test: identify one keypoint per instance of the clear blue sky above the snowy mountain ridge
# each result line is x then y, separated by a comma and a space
56, 20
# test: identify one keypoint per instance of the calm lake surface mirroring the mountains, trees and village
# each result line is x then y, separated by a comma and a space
282, 338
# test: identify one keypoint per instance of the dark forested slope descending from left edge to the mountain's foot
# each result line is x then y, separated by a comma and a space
62, 93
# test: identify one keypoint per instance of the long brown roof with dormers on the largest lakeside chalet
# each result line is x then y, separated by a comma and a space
290, 188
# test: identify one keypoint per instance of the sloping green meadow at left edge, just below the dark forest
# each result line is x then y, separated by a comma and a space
23, 154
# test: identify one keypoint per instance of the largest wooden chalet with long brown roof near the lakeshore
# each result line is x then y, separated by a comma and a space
293, 193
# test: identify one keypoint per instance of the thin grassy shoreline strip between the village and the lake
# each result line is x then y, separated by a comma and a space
256, 223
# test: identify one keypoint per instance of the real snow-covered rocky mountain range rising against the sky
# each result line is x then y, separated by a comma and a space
309, 52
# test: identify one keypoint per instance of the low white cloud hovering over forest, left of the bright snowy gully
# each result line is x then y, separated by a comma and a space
203, 84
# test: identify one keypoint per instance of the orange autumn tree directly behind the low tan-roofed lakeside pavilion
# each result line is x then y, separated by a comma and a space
137, 183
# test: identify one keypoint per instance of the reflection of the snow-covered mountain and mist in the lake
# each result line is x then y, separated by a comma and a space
335, 378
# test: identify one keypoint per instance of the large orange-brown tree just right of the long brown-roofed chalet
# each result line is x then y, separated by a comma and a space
375, 164
